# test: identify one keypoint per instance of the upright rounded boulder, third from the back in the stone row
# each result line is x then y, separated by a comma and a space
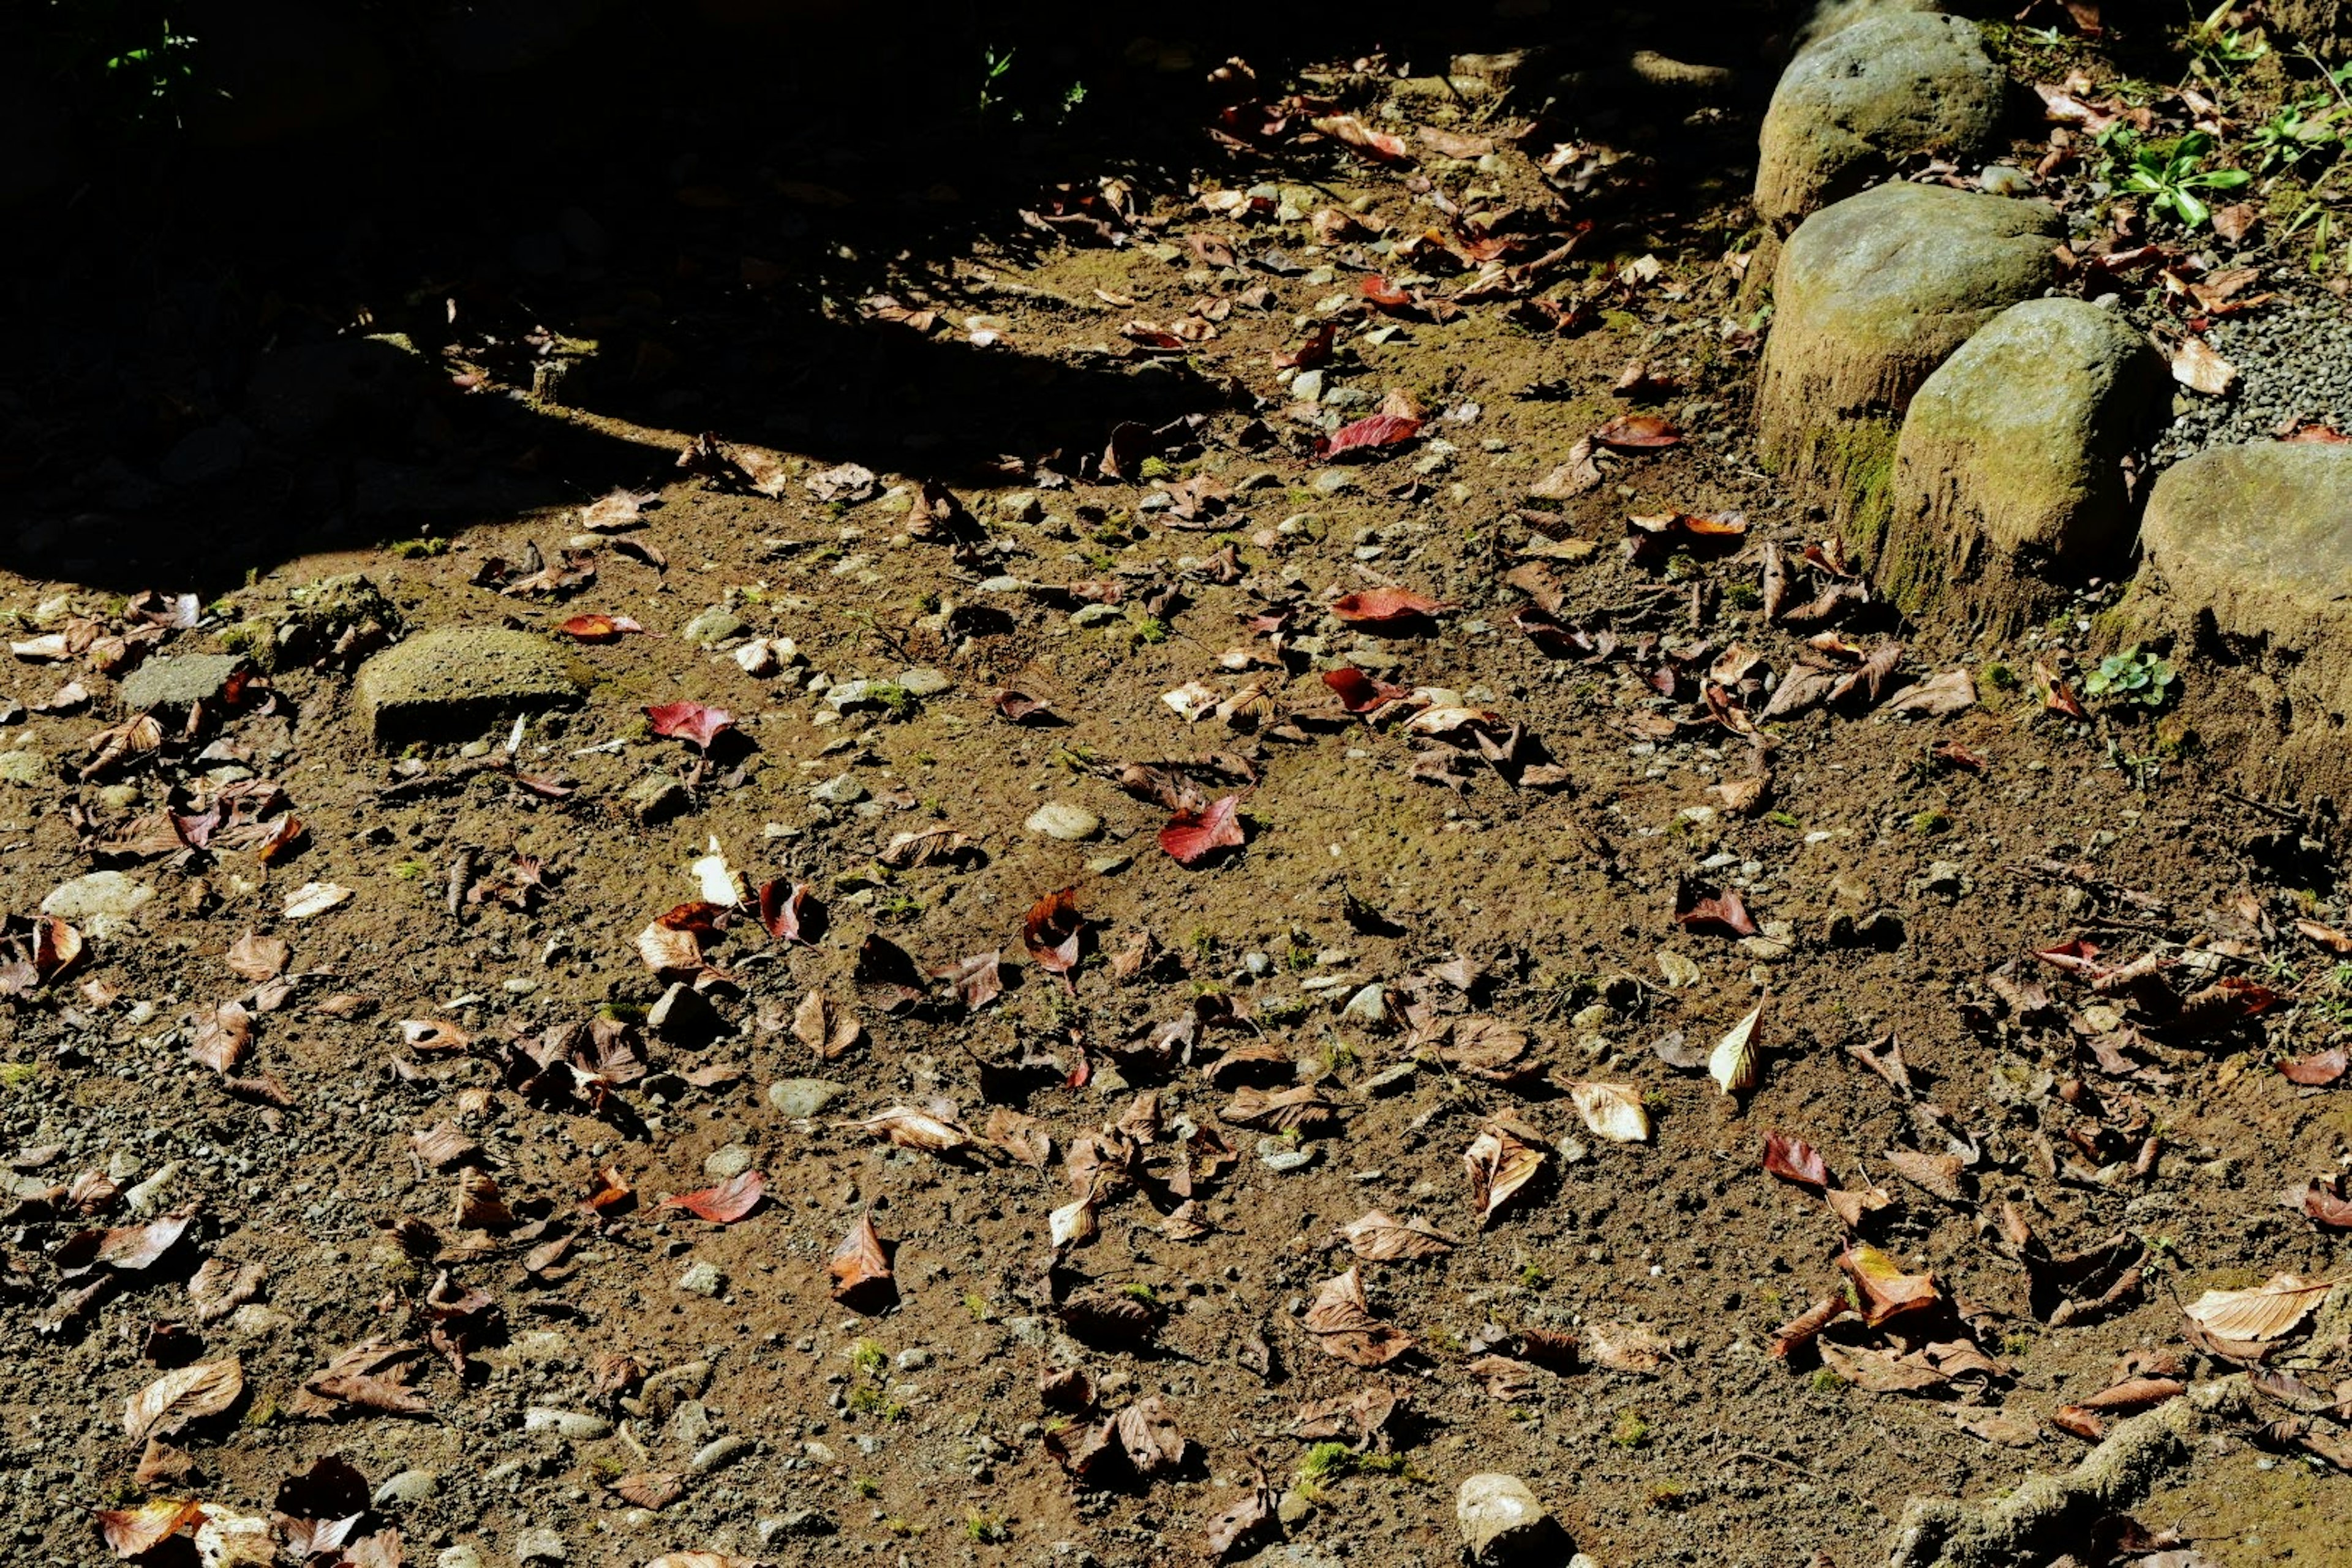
2010, 474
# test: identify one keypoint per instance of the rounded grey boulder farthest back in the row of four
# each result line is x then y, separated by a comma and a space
1869, 95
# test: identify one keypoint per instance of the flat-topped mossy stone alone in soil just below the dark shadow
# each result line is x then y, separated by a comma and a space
455, 681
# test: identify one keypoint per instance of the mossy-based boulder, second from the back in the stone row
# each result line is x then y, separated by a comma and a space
1871, 297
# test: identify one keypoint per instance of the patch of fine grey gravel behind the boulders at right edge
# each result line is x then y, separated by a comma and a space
2294, 363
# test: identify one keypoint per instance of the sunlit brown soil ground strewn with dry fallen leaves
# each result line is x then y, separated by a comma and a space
2071, 1148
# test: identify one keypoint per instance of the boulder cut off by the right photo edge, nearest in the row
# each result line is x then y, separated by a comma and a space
2247, 561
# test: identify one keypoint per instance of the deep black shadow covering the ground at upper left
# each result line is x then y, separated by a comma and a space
704, 194
